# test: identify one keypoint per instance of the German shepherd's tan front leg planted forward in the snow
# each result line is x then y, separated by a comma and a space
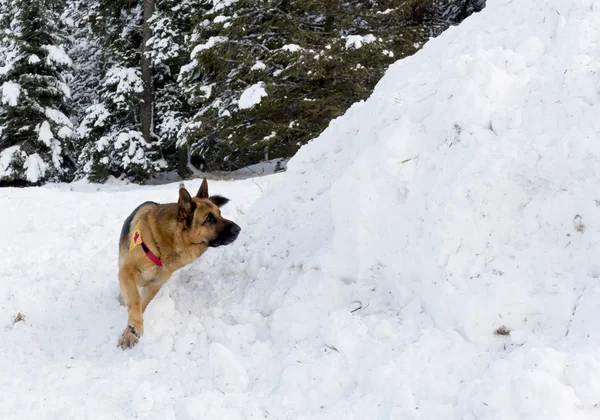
131, 295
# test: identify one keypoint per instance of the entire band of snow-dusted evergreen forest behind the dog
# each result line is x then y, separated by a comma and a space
129, 88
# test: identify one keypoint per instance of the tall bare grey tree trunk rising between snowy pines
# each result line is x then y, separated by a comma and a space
147, 103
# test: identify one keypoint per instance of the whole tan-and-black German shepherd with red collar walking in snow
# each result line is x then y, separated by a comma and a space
158, 239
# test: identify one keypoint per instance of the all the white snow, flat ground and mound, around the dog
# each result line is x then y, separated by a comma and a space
370, 279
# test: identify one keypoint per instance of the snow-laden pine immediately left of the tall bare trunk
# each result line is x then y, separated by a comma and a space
111, 129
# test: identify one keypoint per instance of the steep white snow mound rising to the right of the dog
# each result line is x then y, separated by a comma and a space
433, 254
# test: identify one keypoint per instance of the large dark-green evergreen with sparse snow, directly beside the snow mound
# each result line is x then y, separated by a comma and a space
265, 77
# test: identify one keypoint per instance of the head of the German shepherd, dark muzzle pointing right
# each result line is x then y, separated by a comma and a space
201, 218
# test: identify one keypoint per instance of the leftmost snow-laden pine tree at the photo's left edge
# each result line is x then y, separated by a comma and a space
35, 130
